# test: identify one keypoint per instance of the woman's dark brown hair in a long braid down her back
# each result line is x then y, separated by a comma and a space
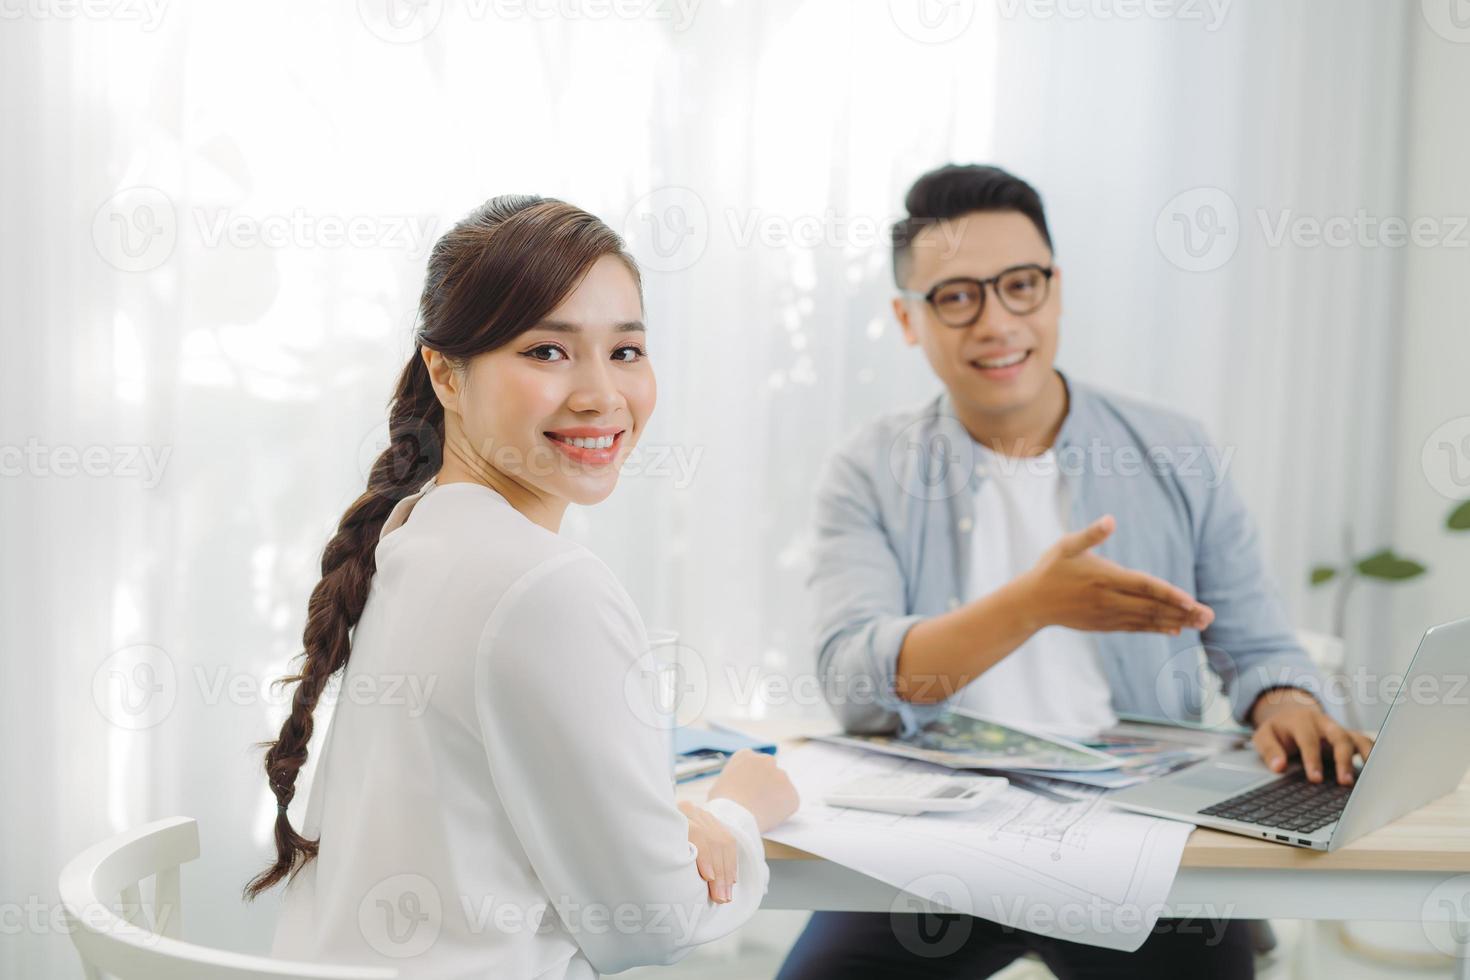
490, 278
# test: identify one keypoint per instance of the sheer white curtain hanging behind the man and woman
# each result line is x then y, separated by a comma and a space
214, 233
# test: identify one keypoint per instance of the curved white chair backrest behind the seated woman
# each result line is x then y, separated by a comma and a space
118, 937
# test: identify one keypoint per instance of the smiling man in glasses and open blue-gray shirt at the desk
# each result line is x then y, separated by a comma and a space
1040, 553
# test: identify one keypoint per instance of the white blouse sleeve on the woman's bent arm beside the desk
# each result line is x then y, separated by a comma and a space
583, 771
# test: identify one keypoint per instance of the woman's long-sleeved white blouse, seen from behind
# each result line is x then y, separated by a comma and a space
493, 794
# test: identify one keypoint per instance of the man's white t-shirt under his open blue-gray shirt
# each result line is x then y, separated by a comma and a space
1053, 681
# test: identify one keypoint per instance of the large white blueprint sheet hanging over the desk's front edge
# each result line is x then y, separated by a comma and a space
1081, 871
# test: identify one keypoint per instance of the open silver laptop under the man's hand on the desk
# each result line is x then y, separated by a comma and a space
1422, 754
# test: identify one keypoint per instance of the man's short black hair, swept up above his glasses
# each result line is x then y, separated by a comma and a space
962, 189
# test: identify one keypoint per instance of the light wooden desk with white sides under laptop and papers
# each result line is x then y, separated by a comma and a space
1416, 869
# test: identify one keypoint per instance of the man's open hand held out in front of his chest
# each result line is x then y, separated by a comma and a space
1075, 587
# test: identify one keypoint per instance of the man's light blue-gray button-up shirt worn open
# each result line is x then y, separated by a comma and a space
893, 547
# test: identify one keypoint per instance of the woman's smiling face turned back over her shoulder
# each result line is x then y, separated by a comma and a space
559, 409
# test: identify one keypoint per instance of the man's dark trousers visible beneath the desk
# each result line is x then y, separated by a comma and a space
905, 945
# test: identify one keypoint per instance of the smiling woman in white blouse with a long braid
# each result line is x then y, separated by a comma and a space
518, 818
